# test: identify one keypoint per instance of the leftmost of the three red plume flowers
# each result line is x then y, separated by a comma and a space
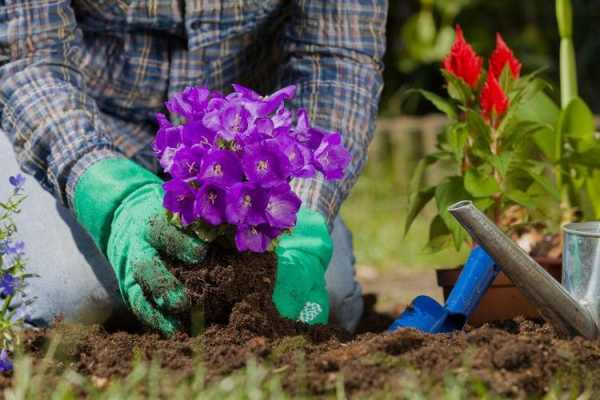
462, 61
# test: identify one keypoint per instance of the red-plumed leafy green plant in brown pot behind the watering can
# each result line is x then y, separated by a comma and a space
521, 159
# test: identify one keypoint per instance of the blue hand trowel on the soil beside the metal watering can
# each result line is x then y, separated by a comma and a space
427, 315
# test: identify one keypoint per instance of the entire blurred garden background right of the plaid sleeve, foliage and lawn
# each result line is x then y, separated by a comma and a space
419, 35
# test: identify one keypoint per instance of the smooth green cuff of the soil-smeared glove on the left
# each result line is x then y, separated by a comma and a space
101, 189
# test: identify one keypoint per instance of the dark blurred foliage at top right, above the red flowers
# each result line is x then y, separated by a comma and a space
420, 33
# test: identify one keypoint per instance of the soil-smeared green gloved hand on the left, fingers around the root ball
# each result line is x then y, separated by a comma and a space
120, 205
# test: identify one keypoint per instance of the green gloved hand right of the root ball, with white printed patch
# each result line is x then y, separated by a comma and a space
302, 259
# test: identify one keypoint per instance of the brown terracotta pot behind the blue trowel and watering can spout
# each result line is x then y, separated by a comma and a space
503, 300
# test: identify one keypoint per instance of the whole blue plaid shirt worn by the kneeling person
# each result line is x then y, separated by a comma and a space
81, 80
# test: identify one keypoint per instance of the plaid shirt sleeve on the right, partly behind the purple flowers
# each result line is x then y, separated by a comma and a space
333, 52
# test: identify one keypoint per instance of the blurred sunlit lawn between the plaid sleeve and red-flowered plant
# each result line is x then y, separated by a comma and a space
375, 212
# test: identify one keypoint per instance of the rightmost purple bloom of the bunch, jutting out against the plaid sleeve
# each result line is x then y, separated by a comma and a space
331, 158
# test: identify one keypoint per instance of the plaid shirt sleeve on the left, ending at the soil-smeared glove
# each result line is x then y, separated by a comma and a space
54, 126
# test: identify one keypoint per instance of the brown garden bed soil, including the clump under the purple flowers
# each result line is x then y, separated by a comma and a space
513, 358
